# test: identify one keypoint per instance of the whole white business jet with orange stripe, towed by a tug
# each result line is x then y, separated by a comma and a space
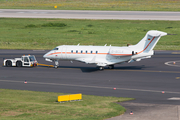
106, 55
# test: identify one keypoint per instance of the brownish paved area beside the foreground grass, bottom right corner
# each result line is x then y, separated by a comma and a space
143, 111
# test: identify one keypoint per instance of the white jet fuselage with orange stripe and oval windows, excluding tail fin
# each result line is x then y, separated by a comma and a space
100, 55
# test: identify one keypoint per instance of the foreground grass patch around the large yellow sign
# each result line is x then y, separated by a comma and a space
29, 105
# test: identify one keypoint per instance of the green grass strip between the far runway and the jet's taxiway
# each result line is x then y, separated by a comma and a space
22, 33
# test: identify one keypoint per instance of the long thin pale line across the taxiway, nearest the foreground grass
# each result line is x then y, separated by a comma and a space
99, 87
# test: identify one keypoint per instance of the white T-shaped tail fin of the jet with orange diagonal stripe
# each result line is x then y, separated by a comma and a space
147, 44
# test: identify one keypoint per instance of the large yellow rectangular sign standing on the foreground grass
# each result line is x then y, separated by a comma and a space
69, 97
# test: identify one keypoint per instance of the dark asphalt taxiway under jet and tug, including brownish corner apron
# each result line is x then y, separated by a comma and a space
153, 84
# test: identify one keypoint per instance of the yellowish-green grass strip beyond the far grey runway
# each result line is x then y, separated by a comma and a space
121, 5
